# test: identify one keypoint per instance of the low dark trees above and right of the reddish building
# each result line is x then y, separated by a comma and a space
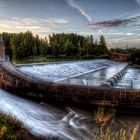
133, 53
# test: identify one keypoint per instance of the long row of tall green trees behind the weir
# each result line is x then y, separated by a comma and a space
23, 45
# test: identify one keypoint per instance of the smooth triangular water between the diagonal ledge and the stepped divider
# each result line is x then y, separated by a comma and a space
95, 78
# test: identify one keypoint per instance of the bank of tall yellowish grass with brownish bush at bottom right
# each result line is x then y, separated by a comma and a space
109, 129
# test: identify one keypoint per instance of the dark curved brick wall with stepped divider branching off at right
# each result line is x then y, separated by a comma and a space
11, 79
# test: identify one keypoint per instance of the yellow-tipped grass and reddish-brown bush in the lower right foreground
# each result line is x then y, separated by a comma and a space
102, 116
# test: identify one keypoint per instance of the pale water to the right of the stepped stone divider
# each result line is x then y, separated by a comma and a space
130, 80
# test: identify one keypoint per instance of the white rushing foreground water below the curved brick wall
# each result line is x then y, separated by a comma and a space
47, 120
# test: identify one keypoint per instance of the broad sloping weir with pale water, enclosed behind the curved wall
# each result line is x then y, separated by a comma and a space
85, 73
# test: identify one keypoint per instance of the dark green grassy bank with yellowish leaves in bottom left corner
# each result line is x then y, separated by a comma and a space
11, 129
